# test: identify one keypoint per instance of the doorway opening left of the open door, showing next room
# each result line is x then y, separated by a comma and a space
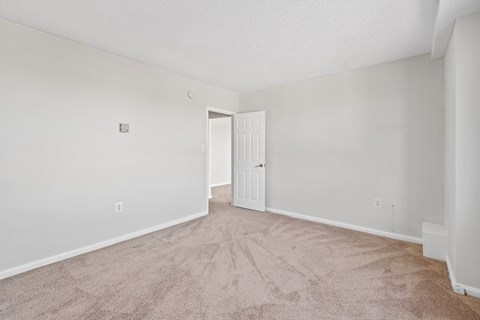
219, 155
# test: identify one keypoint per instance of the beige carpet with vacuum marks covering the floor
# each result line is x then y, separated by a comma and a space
240, 264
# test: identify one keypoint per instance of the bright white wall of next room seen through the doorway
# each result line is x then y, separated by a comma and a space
220, 151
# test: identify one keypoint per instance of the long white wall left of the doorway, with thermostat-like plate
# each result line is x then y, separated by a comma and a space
63, 163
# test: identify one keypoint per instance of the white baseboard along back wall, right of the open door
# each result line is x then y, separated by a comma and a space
391, 235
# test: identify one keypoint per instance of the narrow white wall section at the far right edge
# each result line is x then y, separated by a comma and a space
463, 146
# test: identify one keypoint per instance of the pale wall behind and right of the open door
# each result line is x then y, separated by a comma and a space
336, 142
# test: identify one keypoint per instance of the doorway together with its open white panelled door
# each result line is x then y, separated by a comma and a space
237, 166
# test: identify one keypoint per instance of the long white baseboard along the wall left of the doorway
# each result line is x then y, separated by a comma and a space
62, 256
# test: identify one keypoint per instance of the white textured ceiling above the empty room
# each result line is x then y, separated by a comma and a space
240, 45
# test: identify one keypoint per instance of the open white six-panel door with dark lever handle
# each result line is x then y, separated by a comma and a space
249, 160
